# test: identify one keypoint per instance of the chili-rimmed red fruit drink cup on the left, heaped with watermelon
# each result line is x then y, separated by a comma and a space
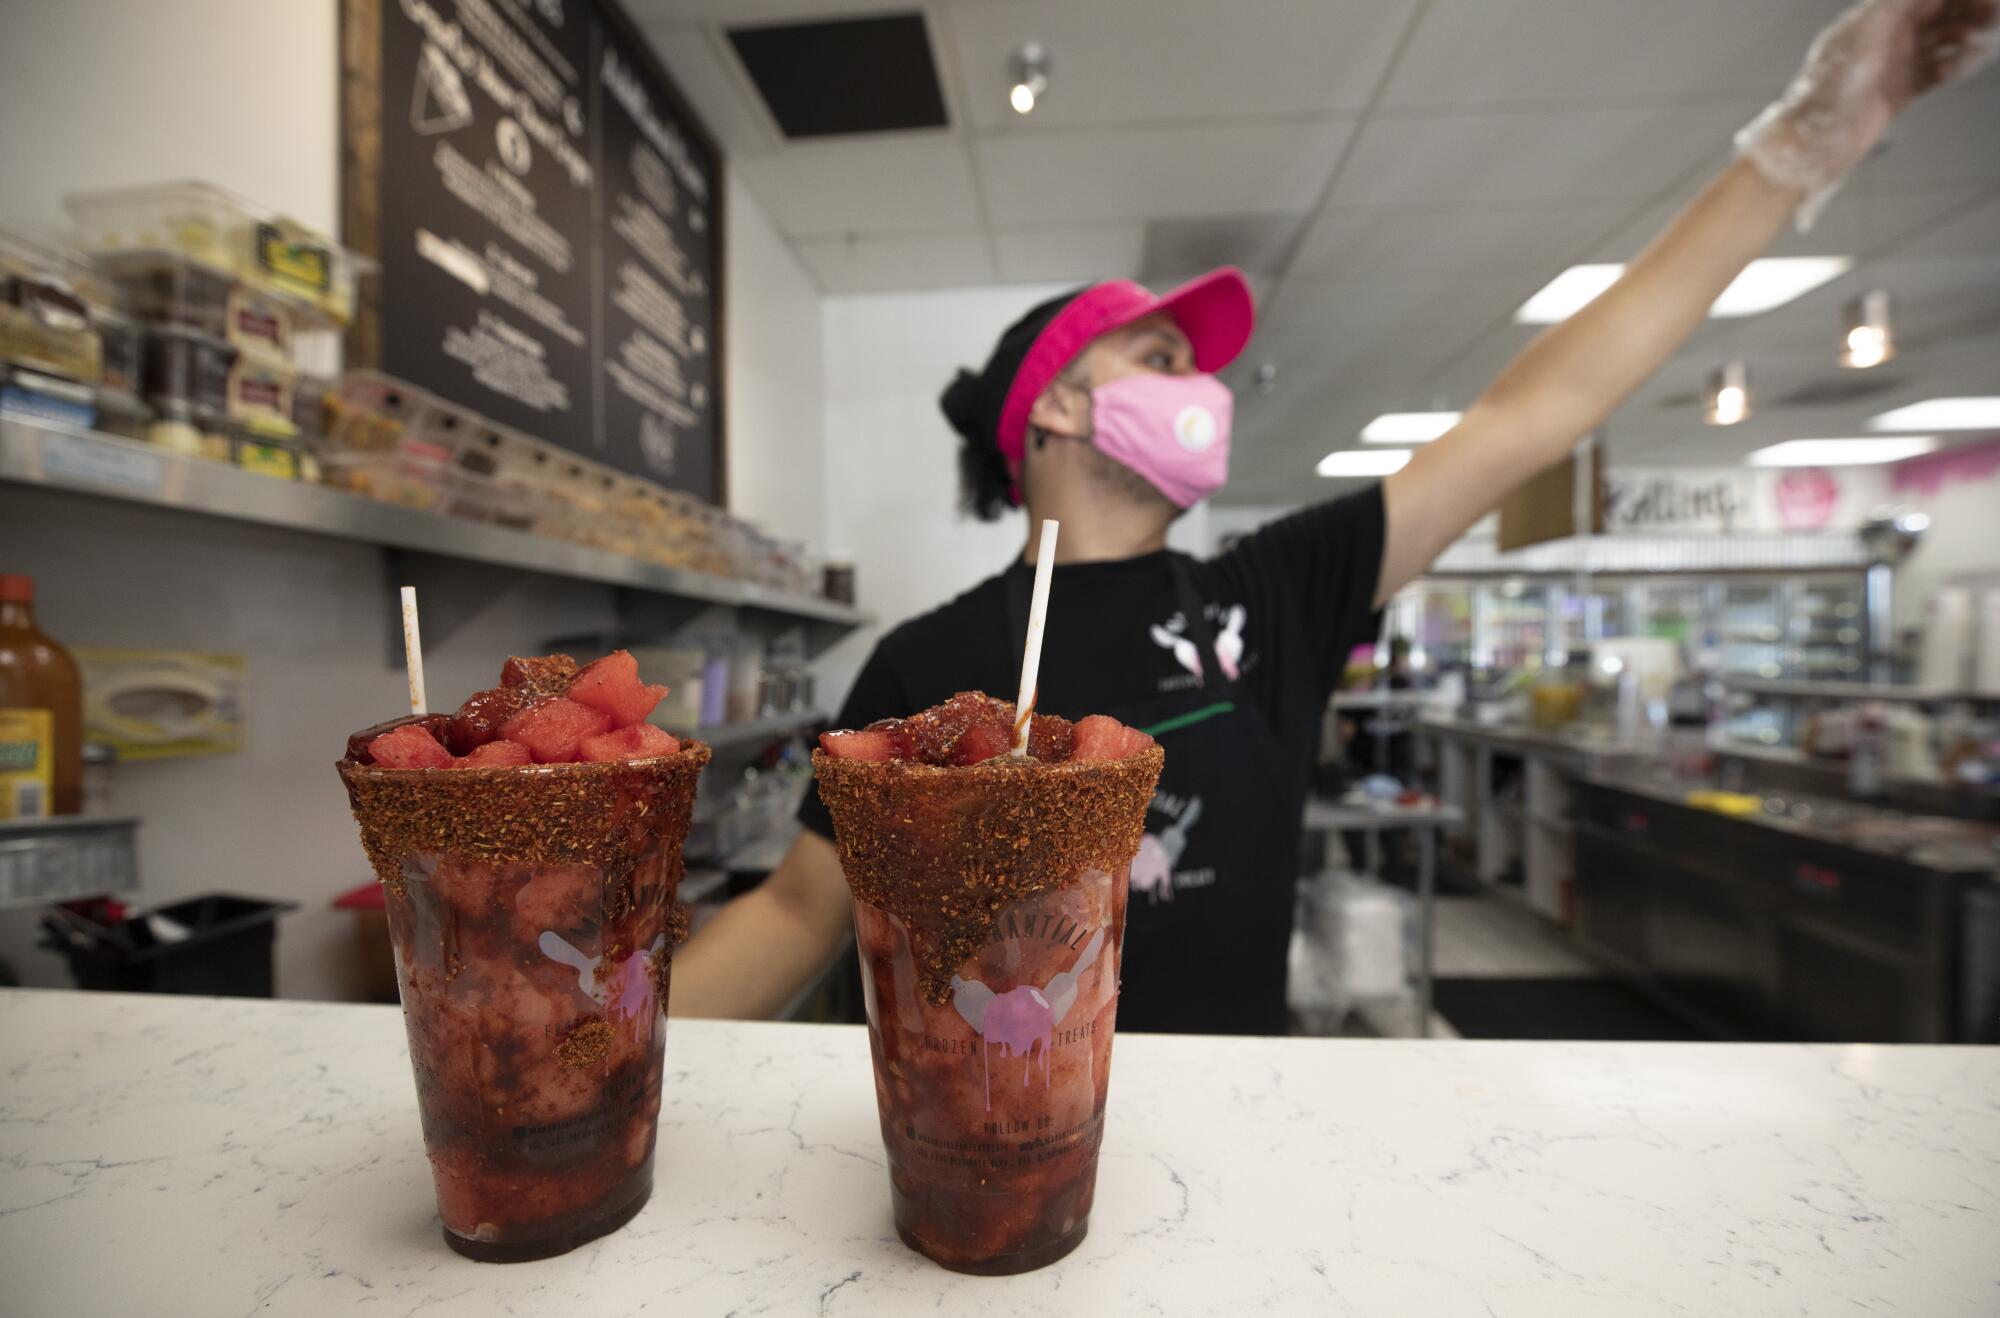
531, 901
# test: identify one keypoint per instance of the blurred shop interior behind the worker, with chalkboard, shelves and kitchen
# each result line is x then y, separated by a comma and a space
1699, 739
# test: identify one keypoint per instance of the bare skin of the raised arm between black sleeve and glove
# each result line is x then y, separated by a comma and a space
1577, 373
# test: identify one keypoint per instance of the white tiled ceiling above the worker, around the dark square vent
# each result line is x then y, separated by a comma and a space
1399, 177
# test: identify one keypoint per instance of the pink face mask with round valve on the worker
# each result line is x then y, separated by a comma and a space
1175, 431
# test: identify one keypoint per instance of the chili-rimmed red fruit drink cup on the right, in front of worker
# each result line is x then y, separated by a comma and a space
989, 909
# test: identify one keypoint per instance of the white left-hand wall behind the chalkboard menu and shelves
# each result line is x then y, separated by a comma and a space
245, 93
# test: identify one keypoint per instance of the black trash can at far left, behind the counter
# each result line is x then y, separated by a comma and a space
227, 951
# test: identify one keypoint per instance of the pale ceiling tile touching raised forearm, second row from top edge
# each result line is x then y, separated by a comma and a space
1531, 157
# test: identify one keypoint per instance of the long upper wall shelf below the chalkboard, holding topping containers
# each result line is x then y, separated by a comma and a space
99, 465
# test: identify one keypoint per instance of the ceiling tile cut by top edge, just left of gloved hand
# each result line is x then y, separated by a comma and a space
1497, 53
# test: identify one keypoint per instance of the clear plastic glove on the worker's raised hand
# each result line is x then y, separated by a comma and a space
1859, 75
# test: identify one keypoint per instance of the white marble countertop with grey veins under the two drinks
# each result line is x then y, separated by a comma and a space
217, 1157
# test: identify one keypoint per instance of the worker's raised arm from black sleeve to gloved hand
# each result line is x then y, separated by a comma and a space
1863, 71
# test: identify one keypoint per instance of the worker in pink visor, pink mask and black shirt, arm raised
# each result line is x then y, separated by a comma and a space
1101, 409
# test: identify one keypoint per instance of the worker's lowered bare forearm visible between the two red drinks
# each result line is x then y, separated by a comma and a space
755, 957
